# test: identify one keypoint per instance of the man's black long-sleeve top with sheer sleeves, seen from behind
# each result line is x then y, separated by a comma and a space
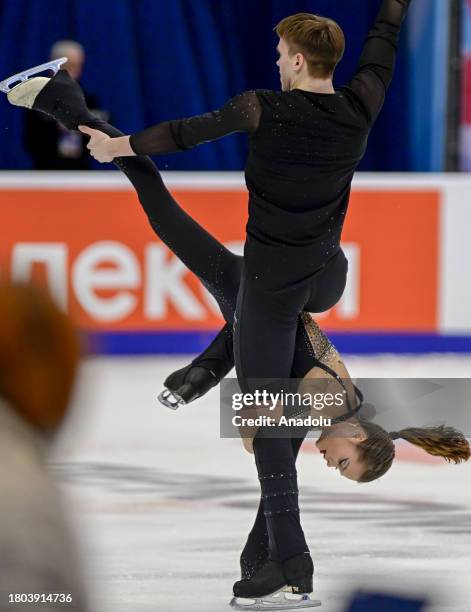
304, 149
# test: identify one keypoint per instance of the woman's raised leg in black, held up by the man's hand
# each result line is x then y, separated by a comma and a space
215, 266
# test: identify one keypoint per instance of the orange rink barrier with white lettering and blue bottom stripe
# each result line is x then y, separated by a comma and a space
85, 237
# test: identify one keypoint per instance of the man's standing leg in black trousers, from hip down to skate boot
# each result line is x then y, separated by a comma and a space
265, 336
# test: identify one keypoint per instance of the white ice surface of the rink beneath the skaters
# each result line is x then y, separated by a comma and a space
162, 506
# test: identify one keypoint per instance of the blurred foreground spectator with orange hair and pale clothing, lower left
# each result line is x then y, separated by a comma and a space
39, 356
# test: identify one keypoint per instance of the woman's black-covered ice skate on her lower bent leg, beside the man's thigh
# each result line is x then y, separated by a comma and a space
186, 385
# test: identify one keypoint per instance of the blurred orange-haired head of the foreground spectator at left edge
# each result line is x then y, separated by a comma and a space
39, 355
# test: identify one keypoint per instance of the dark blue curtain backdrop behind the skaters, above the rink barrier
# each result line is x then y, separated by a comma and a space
151, 60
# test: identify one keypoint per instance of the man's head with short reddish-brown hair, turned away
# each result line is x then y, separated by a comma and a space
310, 46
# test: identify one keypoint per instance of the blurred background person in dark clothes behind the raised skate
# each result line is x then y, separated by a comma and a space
50, 145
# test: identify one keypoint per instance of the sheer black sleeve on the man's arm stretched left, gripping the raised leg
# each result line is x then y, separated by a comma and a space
240, 114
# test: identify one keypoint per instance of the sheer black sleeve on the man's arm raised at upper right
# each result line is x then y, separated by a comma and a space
378, 59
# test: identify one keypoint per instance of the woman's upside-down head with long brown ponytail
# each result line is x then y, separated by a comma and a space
364, 451
